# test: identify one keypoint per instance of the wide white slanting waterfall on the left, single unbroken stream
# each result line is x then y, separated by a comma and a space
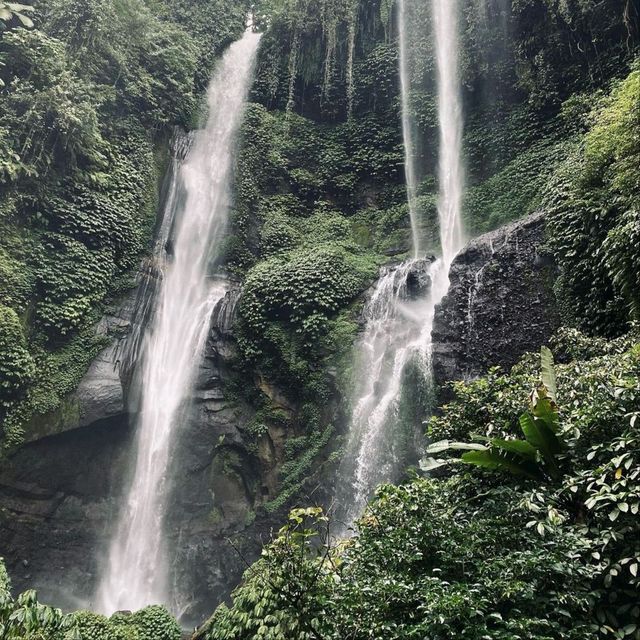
137, 572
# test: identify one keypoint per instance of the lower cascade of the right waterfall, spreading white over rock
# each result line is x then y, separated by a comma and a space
399, 316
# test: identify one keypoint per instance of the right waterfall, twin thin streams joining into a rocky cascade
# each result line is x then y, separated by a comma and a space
399, 314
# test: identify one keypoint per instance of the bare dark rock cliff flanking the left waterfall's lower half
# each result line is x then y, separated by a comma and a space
61, 493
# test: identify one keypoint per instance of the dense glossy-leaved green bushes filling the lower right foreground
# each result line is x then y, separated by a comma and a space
478, 554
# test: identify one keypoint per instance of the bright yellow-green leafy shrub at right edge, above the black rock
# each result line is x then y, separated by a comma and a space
594, 204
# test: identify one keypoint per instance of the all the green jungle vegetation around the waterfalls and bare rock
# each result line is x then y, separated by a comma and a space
547, 548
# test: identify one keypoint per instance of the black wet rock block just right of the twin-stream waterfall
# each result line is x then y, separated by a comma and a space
500, 303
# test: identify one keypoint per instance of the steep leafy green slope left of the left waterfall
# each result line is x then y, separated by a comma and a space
88, 97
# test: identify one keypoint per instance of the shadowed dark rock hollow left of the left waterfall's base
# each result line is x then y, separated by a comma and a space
56, 501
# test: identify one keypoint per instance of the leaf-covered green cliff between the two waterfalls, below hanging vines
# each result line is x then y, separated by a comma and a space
302, 189
